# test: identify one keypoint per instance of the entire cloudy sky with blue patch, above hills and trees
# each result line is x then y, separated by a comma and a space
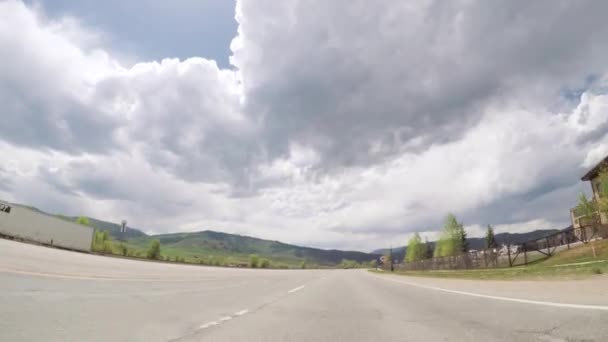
336, 124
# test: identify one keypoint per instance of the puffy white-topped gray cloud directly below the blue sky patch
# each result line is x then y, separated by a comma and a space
187, 118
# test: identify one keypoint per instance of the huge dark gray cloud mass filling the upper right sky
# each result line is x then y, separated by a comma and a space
343, 76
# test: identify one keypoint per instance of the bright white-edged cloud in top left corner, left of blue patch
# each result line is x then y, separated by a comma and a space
43, 86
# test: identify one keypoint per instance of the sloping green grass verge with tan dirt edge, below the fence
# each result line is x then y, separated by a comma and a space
575, 263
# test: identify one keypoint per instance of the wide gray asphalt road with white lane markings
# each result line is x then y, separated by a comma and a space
54, 295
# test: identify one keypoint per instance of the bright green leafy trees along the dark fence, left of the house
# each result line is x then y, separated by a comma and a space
452, 242
